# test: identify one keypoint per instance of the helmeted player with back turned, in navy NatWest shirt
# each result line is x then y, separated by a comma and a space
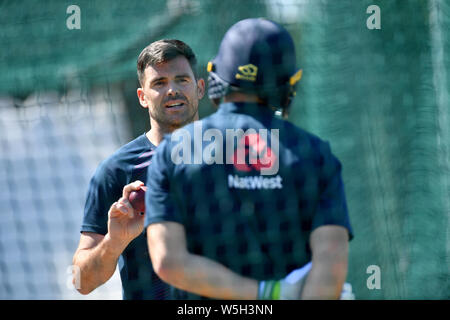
241, 198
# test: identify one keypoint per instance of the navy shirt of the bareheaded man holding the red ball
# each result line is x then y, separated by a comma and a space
126, 165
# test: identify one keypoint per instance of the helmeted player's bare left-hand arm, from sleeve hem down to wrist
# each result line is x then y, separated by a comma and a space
200, 275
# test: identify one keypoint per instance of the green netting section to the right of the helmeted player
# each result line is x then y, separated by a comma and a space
381, 98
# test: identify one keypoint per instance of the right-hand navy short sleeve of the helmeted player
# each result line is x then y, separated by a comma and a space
332, 205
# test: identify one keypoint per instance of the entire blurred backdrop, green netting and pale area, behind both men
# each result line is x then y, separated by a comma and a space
375, 86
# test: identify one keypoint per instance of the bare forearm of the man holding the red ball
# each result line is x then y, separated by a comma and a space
96, 265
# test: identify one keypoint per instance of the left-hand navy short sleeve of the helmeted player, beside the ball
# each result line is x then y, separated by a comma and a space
159, 201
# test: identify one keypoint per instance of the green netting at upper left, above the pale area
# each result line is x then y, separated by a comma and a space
39, 51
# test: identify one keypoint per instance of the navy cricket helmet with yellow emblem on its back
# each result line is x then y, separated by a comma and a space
256, 55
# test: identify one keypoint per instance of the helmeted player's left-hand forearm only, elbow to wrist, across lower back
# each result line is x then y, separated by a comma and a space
208, 278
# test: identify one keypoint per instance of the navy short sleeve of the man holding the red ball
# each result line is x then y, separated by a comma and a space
102, 193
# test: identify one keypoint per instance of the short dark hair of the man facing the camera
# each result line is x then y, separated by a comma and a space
163, 51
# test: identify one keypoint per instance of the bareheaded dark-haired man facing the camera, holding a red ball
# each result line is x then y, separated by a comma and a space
111, 231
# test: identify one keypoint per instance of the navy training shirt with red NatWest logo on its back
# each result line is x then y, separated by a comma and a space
257, 224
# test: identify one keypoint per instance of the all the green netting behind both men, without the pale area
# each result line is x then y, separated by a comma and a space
381, 97
